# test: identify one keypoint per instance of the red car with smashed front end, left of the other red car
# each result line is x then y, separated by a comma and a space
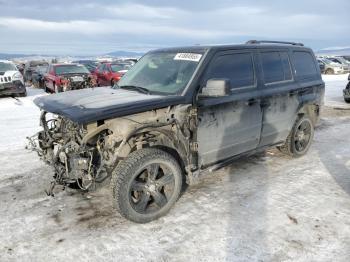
64, 77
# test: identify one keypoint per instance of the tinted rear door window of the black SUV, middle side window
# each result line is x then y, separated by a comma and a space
276, 67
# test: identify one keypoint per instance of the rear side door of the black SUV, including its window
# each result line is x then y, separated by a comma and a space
279, 100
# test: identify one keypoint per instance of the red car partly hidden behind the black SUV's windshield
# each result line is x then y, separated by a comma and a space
109, 73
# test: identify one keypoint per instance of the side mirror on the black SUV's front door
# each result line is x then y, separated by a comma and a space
216, 87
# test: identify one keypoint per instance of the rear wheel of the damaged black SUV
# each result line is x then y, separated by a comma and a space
299, 139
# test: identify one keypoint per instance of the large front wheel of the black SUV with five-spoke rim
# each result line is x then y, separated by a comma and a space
146, 185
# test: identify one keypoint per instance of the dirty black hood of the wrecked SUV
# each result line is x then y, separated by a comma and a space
93, 104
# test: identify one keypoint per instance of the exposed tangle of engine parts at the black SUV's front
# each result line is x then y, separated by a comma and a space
60, 145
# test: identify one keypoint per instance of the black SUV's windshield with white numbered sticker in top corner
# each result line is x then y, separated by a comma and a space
163, 72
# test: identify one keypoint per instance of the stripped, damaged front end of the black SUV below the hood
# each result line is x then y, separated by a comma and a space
83, 156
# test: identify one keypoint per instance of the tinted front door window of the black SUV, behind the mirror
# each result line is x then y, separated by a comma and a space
238, 68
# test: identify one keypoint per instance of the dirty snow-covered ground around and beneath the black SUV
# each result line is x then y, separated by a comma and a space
263, 208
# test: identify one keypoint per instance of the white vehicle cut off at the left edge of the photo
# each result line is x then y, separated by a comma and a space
11, 80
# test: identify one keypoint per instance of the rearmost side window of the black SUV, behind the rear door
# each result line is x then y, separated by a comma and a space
304, 64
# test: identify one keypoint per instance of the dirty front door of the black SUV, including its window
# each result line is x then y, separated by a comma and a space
230, 125
